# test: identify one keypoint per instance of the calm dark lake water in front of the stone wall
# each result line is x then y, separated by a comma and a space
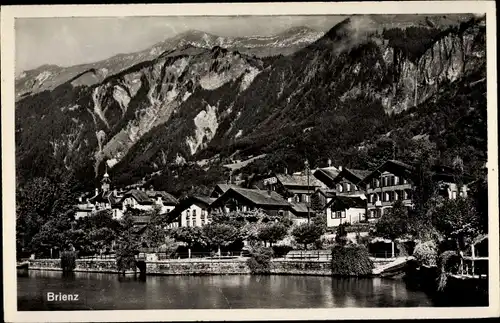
113, 292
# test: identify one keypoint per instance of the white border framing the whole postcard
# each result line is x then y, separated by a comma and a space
8, 157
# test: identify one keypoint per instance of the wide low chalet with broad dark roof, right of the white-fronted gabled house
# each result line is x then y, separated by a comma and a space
244, 199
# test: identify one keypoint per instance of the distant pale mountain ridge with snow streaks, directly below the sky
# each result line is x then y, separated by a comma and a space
47, 77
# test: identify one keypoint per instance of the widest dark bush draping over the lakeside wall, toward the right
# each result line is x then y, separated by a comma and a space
351, 260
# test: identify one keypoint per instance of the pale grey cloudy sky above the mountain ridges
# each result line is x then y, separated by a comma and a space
77, 40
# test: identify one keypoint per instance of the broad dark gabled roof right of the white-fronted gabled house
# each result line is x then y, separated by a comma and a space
262, 198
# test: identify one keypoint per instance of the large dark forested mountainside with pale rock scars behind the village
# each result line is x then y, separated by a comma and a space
354, 95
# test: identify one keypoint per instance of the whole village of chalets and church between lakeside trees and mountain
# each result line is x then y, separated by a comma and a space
340, 196
